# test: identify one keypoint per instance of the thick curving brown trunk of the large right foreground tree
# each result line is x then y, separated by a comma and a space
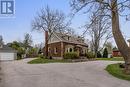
119, 39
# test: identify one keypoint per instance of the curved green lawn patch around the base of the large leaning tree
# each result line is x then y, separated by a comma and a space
116, 71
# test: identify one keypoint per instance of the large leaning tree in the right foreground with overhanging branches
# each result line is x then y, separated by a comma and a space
111, 8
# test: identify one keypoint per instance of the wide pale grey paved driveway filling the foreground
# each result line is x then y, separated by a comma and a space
86, 74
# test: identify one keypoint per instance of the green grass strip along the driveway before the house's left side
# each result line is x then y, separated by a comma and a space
43, 60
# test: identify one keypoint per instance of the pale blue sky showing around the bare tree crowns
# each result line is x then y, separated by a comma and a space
25, 10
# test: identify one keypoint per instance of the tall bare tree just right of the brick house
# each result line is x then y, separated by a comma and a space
98, 29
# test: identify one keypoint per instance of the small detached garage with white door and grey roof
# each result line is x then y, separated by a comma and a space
7, 53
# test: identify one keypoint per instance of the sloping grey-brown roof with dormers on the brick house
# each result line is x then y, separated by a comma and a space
72, 39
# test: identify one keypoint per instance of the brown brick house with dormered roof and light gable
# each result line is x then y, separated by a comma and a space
59, 44
